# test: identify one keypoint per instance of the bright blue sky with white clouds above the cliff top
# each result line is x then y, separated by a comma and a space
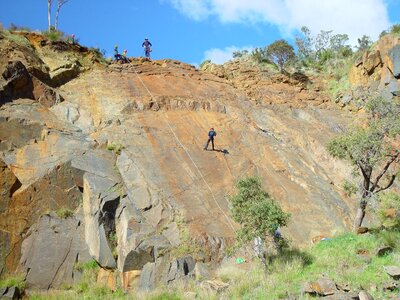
195, 30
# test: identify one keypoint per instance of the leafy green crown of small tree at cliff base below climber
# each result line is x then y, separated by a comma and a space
255, 210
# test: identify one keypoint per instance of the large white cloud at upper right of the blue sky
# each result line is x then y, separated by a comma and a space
354, 17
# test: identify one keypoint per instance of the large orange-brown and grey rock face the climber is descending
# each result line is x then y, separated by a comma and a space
121, 147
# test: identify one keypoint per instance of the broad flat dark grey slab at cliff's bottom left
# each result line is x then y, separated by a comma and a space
50, 251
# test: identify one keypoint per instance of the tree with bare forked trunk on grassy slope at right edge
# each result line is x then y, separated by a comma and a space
373, 150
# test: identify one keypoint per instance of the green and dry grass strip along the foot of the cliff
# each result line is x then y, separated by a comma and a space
347, 259
